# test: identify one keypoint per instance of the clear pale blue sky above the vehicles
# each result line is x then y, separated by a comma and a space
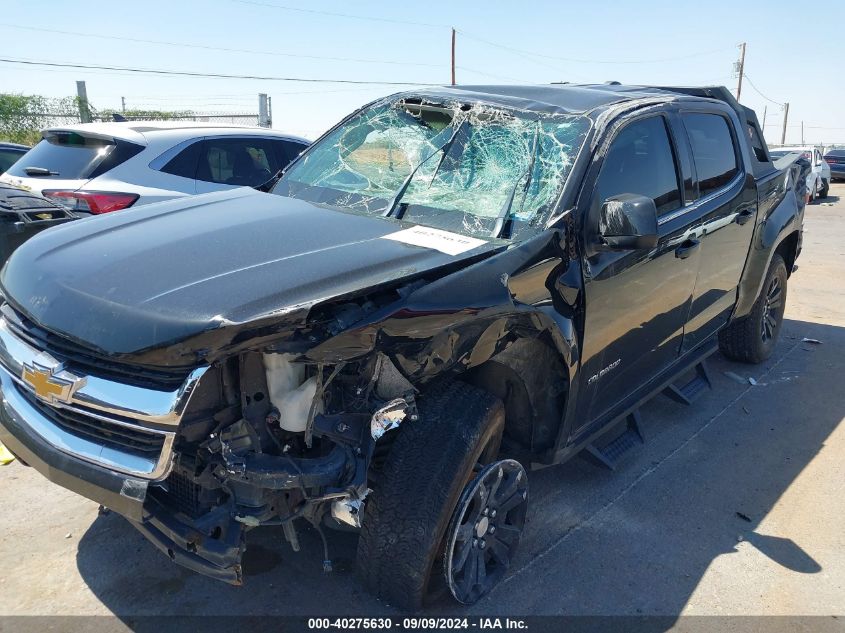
791, 53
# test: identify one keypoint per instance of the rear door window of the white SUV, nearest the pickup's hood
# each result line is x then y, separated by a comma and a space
237, 161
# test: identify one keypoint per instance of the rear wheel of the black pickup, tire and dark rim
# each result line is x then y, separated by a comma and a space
752, 338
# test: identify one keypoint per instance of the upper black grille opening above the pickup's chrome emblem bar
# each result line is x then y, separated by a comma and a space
87, 361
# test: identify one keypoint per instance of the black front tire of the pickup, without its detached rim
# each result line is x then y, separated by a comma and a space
401, 546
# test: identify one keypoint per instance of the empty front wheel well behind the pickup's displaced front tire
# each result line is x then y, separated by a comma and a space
531, 380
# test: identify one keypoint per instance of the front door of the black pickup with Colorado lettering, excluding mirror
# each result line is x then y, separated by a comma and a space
636, 300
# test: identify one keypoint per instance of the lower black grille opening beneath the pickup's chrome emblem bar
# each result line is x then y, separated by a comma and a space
127, 439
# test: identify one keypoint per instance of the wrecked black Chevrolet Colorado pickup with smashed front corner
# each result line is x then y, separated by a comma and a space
452, 285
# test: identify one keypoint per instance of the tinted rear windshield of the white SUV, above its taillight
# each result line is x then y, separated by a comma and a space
69, 155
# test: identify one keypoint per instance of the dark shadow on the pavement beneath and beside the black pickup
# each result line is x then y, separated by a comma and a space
634, 542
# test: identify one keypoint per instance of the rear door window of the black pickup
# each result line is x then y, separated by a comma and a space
712, 151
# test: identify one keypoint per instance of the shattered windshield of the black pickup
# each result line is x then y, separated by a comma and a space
473, 169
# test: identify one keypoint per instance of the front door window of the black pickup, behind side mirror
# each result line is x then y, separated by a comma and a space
641, 161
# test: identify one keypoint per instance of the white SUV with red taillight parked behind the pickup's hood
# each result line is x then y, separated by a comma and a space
95, 168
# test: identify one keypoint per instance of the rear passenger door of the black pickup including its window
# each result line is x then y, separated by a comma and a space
725, 205
